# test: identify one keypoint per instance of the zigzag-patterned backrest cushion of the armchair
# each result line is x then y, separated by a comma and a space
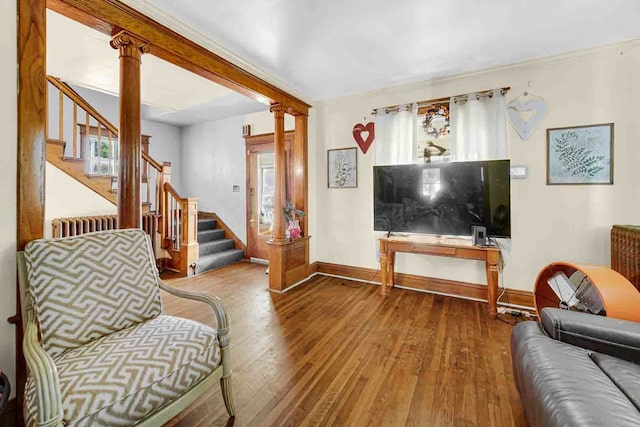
86, 287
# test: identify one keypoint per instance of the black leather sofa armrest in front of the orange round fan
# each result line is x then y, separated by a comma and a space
618, 338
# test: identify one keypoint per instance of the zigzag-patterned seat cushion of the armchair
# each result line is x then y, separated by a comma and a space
128, 375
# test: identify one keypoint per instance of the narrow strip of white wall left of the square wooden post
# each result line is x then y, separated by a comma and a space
8, 166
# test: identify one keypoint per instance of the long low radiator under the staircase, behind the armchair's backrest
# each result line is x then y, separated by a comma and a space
65, 227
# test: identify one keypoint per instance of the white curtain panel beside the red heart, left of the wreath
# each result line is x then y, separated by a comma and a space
396, 136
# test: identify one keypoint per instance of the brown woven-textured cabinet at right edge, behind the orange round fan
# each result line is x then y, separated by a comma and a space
625, 252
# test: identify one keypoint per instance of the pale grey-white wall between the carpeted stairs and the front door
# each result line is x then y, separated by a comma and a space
214, 156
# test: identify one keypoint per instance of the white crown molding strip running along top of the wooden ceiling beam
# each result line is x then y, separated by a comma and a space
195, 36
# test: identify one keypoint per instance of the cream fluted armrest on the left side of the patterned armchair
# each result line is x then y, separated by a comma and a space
45, 377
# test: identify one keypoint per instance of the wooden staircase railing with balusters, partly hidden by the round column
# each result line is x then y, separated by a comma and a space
176, 217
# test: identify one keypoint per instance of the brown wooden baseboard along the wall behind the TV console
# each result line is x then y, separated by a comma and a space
511, 297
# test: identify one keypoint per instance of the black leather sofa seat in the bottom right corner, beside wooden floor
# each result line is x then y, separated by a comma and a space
560, 385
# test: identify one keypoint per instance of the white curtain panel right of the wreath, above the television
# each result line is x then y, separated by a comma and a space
478, 127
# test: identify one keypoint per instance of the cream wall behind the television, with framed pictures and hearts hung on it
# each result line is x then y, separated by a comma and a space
549, 223
